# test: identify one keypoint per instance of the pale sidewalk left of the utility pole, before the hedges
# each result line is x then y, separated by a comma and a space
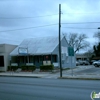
35, 74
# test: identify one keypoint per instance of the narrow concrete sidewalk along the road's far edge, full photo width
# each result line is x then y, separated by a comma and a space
48, 75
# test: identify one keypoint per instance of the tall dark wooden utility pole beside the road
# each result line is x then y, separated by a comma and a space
60, 62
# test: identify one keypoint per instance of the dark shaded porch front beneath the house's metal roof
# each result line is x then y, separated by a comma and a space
36, 60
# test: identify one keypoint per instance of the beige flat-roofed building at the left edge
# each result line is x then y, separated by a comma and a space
5, 50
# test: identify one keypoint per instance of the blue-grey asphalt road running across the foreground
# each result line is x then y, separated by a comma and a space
46, 89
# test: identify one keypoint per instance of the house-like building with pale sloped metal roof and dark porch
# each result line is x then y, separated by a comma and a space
42, 51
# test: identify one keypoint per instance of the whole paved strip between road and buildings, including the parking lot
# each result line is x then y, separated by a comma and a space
80, 72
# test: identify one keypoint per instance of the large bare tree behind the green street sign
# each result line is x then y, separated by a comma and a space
78, 41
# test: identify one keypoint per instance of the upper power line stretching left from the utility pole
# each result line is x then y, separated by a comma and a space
27, 17
